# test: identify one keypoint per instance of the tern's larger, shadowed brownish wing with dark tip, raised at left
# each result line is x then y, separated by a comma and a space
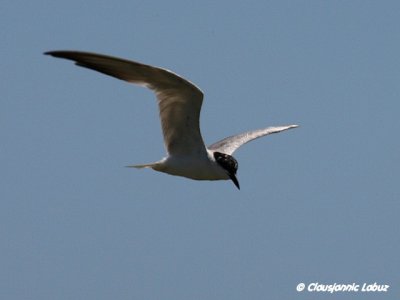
179, 100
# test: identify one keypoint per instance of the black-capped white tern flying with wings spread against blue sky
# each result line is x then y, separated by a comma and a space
179, 103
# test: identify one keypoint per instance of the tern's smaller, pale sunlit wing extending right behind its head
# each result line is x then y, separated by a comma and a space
230, 144
